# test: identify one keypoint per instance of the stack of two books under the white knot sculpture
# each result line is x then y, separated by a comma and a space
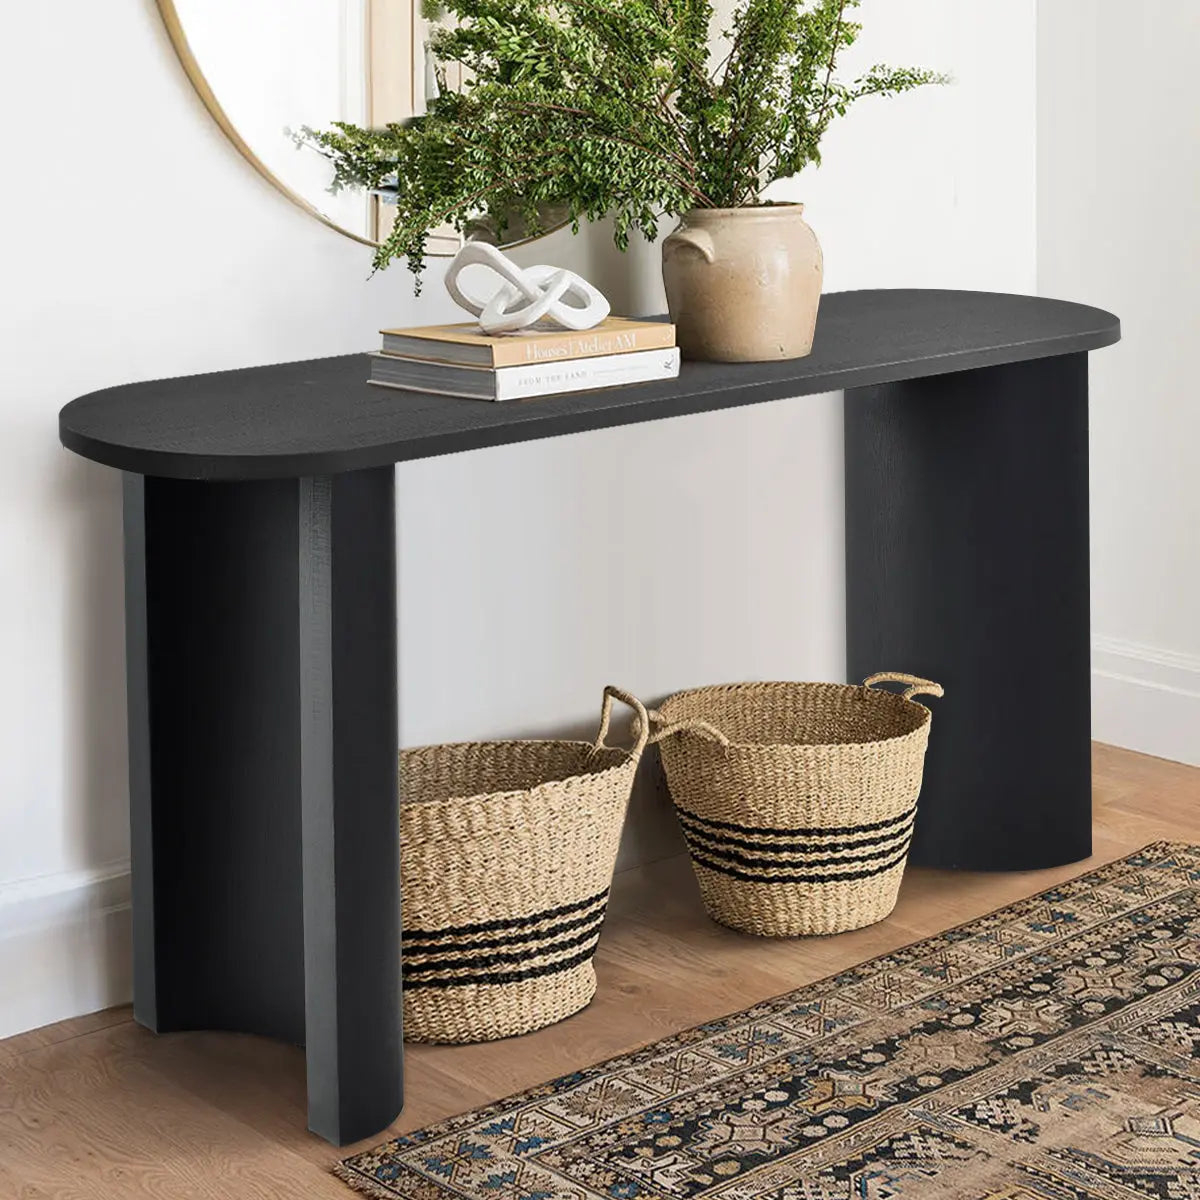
460, 361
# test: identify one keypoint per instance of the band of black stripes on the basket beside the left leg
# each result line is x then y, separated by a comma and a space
500, 952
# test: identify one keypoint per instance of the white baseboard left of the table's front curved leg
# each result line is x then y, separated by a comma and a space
65, 947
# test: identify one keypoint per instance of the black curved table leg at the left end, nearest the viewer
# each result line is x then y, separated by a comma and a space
262, 698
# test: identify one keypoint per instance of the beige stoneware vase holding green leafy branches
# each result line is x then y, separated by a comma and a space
743, 285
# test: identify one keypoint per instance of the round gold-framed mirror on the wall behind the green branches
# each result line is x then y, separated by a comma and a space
266, 69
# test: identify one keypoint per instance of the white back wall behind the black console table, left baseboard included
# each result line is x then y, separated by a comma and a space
140, 245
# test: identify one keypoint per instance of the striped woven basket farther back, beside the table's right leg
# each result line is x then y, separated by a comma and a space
797, 800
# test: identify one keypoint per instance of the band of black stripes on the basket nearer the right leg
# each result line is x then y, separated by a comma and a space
767, 855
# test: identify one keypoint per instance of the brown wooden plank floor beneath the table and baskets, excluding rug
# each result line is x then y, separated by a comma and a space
99, 1109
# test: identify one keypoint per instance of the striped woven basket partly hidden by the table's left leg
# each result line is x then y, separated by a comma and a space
507, 854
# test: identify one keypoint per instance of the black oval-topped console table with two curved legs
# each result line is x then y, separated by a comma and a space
261, 610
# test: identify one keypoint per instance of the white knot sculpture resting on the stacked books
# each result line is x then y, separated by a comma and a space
548, 295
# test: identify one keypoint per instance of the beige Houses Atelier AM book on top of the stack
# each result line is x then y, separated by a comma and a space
467, 346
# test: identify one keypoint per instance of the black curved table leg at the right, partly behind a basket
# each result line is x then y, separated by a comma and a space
968, 562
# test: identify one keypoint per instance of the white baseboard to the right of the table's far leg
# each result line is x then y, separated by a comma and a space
1147, 699
